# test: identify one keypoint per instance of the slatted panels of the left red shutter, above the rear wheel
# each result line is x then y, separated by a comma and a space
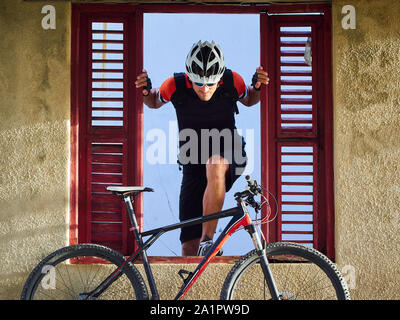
107, 143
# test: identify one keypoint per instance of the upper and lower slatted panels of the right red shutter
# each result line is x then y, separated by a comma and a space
296, 160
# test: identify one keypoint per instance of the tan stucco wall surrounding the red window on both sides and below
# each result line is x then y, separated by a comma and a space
34, 147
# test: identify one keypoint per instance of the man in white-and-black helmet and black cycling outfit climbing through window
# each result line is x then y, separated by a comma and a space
205, 99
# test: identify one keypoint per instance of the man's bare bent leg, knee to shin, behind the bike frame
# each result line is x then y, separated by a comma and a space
214, 195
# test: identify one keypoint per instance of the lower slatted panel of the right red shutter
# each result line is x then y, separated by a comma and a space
297, 192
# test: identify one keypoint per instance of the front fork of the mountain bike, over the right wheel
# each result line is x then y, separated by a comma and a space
263, 261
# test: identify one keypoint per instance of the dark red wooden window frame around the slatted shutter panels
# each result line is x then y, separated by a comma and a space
268, 157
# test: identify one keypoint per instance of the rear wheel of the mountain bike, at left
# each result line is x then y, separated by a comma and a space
57, 277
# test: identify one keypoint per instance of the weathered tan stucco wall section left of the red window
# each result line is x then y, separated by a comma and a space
34, 138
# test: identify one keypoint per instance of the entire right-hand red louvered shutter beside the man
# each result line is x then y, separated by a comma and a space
297, 149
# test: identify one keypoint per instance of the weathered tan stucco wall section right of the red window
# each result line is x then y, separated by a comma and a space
367, 146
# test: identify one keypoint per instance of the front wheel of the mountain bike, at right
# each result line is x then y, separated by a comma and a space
246, 280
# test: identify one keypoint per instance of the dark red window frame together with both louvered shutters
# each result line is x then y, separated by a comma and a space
296, 120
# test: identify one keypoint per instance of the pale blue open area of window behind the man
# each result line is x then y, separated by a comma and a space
162, 206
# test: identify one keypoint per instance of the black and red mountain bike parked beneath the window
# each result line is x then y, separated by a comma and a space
308, 273
